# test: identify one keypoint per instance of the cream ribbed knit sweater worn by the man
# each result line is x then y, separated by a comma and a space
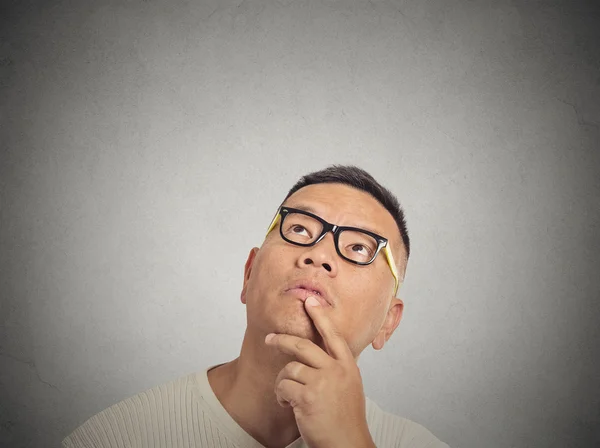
186, 413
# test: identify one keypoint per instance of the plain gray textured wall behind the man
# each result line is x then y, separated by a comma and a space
146, 144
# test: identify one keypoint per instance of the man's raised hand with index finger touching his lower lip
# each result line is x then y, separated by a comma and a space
324, 388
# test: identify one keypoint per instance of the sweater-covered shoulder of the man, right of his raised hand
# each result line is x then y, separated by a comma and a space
391, 430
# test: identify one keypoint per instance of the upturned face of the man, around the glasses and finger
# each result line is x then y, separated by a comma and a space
359, 296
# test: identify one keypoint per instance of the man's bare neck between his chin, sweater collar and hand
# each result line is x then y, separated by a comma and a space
245, 388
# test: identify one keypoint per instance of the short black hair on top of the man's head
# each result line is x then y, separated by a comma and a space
361, 180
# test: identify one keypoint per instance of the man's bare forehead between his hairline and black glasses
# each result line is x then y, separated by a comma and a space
344, 205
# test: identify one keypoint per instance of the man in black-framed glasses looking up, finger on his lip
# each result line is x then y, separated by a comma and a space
320, 289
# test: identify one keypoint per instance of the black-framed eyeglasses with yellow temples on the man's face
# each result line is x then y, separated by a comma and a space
355, 245
